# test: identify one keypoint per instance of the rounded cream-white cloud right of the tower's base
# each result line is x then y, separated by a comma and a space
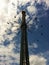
37, 60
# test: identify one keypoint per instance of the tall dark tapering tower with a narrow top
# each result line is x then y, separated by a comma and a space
24, 55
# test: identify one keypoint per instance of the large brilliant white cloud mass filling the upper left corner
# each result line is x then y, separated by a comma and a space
7, 13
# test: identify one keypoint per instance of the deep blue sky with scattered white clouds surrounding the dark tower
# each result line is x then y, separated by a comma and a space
37, 19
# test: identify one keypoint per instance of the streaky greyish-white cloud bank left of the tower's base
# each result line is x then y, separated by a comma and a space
7, 55
